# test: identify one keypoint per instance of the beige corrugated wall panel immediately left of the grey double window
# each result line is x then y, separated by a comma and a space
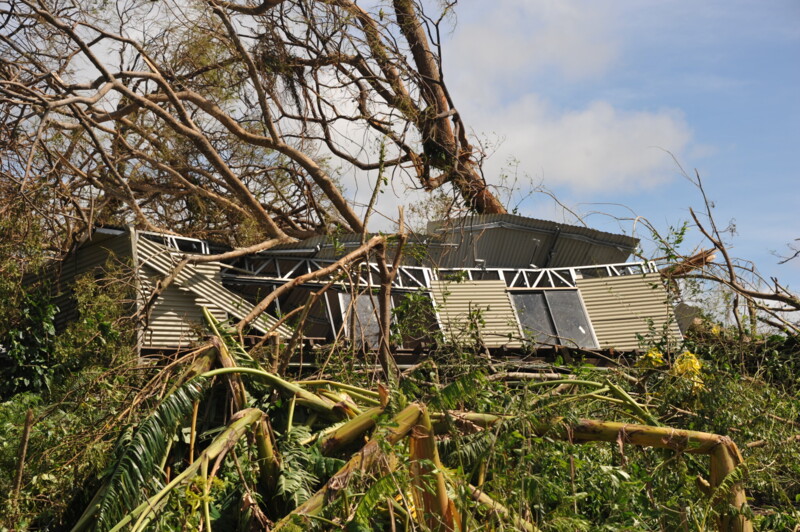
456, 302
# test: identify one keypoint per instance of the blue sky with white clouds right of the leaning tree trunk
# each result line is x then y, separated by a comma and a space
590, 99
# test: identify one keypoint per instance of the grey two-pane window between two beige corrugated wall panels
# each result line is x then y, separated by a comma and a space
554, 317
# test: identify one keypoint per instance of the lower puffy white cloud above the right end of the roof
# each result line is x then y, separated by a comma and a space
593, 148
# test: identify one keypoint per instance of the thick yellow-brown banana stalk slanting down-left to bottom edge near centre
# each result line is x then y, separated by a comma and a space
402, 424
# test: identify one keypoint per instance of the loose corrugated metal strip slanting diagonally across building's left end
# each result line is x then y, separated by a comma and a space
203, 281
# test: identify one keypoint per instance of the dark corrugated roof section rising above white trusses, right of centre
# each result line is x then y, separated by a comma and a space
507, 240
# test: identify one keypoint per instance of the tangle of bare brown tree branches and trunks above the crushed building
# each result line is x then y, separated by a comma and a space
213, 118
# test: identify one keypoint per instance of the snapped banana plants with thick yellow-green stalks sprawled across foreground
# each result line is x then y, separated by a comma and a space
388, 464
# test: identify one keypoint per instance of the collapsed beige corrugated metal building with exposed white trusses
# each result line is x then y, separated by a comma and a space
480, 280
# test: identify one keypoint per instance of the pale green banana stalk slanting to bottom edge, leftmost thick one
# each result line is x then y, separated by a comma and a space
221, 444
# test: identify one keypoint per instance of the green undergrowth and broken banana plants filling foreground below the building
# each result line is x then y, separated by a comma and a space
216, 440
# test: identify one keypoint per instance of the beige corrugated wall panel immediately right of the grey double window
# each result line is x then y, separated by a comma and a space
622, 307
